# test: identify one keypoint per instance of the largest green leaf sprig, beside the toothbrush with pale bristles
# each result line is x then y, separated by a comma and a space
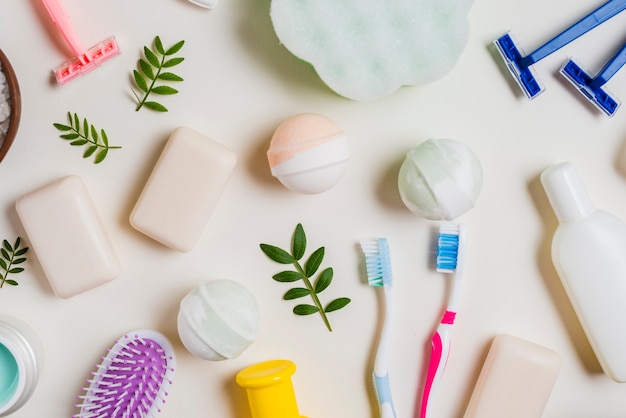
305, 273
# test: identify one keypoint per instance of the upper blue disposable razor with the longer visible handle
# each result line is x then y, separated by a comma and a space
520, 65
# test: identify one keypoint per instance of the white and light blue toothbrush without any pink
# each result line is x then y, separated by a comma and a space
378, 265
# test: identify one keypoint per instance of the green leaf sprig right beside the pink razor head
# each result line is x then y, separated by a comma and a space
150, 70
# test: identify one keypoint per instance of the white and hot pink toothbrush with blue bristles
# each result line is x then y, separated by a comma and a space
450, 259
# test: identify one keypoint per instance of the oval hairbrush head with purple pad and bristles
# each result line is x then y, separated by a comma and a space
131, 380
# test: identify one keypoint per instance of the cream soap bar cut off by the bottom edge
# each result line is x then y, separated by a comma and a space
516, 380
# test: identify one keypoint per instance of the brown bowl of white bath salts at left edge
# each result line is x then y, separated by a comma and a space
10, 105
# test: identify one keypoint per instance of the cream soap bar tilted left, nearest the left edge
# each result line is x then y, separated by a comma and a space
67, 235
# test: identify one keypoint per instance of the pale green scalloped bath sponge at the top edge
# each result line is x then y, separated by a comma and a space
367, 49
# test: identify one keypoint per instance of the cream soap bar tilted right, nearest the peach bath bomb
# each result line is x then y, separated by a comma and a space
183, 189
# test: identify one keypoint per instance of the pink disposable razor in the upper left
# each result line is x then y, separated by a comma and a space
84, 60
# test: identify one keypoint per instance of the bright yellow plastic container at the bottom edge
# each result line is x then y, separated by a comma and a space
270, 389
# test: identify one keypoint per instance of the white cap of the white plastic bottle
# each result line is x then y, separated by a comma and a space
566, 192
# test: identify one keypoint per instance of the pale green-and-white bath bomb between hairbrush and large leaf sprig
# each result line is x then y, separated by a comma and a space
218, 320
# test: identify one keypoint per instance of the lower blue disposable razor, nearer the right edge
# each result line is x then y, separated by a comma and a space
592, 87
